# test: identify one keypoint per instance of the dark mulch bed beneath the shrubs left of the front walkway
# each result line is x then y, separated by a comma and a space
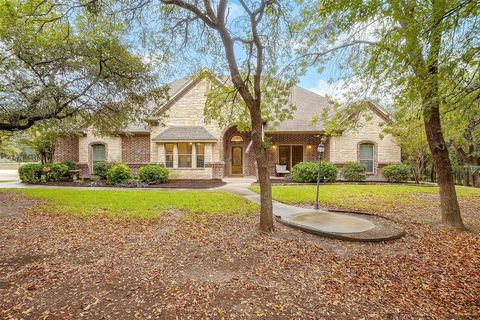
177, 183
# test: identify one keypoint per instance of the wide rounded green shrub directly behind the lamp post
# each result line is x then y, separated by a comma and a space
308, 171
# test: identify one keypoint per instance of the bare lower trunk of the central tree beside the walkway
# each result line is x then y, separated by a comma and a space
266, 209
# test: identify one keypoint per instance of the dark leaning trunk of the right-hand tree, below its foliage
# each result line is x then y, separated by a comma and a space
448, 196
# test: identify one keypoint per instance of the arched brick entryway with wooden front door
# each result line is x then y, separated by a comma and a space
238, 155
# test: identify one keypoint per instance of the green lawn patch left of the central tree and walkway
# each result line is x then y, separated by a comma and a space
141, 204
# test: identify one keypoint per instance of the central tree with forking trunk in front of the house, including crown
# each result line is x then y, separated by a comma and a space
249, 46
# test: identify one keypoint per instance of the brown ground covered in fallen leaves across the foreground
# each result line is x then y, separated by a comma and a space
55, 266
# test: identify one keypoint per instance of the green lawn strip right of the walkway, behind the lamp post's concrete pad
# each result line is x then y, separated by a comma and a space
363, 197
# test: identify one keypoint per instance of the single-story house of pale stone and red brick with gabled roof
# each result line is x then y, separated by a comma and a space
194, 149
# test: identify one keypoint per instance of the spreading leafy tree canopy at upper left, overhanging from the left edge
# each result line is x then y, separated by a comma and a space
61, 60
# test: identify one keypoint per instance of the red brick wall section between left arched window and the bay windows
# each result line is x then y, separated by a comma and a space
136, 149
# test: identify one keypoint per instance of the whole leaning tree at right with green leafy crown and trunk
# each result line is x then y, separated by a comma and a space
410, 48
